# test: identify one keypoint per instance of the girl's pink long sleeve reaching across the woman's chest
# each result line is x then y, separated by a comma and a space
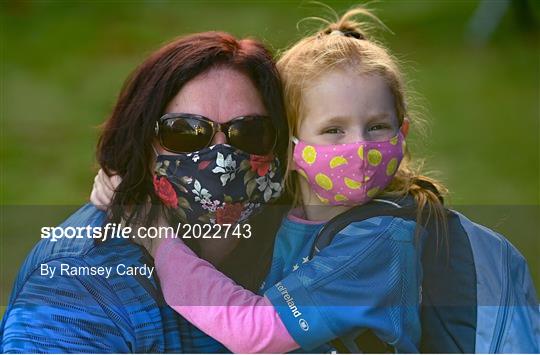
239, 319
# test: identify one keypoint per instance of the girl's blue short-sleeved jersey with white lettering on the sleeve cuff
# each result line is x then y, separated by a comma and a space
369, 277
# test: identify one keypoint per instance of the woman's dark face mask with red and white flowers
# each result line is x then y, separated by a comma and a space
217, 185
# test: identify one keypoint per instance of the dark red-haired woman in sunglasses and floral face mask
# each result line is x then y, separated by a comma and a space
232, 83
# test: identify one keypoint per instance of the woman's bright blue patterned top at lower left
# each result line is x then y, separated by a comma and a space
93, 313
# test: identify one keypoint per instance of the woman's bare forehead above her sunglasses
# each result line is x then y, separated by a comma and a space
221, 94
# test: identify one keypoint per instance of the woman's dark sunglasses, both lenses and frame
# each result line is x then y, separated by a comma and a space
186, 133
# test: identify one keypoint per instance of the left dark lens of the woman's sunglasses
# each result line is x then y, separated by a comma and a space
185, 134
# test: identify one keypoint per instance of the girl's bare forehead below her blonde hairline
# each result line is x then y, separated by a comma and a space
347, 93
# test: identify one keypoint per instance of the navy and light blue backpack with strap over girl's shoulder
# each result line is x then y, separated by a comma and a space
477, 292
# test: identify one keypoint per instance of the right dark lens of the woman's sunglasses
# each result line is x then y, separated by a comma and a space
254, 135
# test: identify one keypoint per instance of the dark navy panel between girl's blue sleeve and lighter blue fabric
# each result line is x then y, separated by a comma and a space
449, 292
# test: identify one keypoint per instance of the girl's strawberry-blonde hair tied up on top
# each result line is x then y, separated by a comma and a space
345, 43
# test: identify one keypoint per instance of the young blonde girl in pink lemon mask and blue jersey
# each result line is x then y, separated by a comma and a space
348, 118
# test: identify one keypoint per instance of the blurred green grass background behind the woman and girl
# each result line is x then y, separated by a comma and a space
63, 63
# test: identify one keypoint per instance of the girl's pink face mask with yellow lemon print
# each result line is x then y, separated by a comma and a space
352, 173
